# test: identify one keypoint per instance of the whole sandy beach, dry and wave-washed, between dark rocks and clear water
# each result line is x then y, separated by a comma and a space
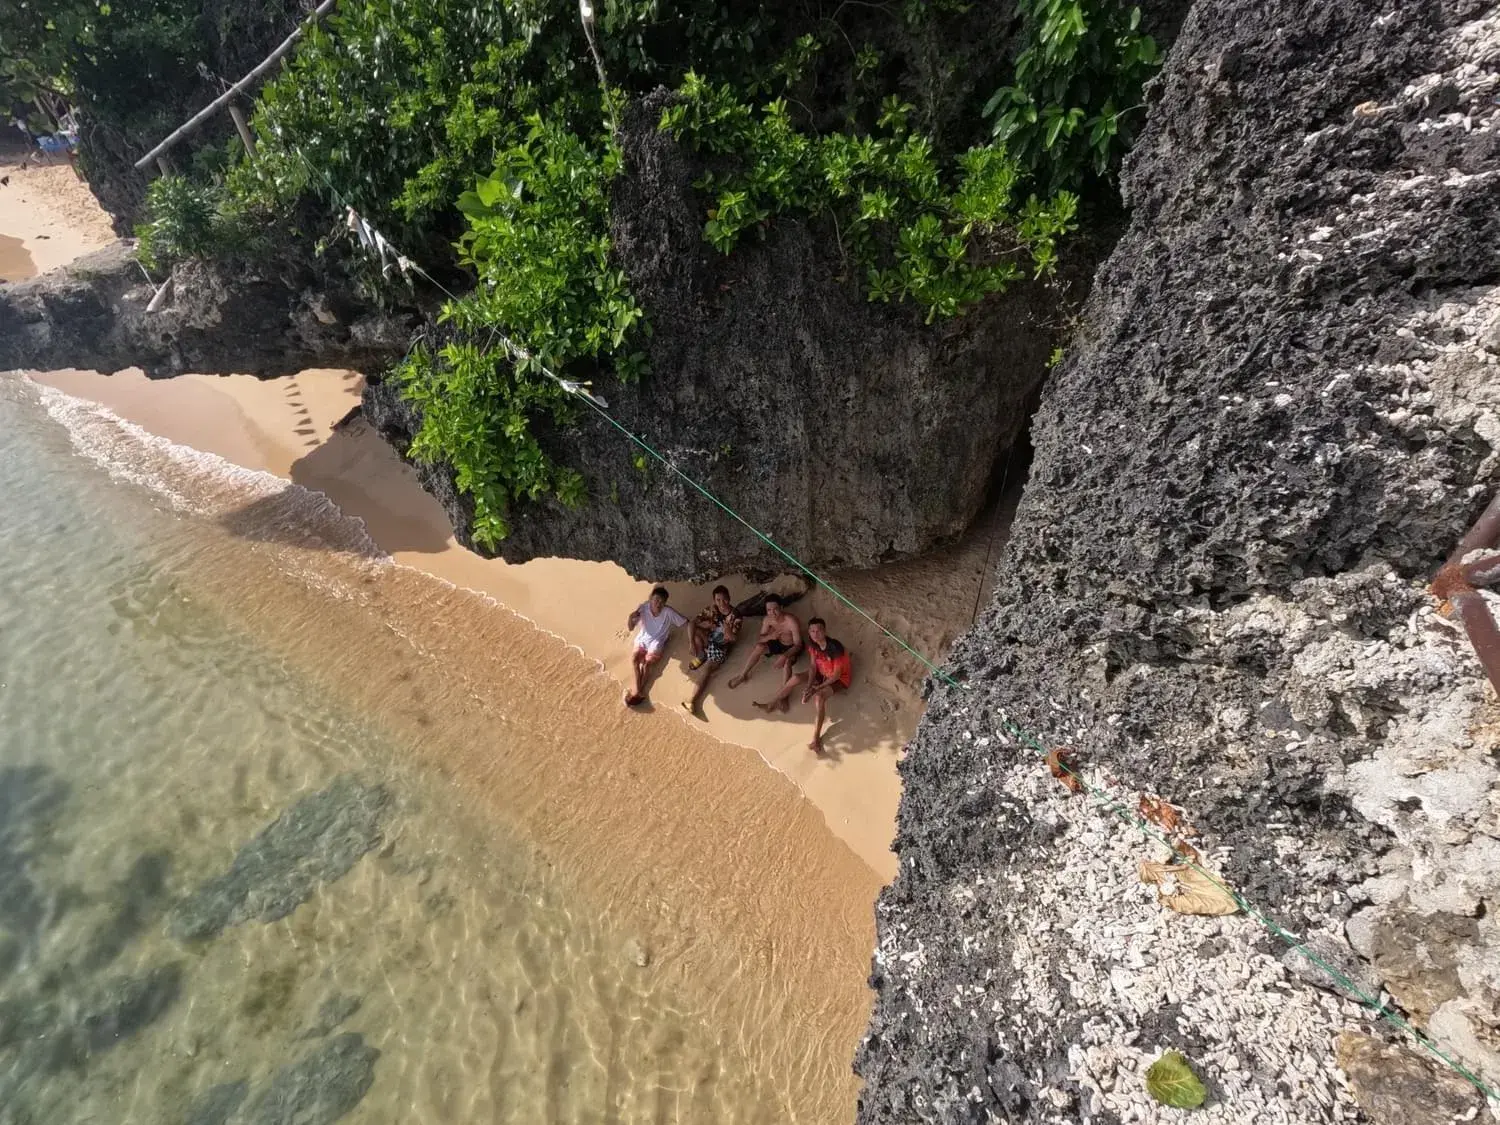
748, 887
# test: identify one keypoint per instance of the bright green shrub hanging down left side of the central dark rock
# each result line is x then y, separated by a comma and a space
538, 242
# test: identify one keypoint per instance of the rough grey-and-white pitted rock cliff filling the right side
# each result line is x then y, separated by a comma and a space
1276, 422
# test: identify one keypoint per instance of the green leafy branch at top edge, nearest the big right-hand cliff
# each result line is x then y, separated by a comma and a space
1078, 82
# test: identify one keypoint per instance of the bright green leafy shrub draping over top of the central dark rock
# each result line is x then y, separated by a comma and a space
943, 235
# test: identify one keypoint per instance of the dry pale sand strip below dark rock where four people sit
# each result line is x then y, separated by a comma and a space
287, 428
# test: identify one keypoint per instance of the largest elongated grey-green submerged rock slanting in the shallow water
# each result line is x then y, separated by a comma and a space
317, 841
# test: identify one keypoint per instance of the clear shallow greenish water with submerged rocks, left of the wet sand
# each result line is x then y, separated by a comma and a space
224, 899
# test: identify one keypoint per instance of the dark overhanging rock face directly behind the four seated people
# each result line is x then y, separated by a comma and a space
850, 431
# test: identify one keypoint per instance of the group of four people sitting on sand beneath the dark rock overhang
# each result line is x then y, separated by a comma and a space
715, 632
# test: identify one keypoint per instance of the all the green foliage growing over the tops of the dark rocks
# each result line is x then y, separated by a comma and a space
476, 136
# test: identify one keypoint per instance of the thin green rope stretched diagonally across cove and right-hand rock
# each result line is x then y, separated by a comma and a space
1376, 1009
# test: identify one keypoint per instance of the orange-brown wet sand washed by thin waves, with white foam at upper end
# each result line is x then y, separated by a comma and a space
722, 869
